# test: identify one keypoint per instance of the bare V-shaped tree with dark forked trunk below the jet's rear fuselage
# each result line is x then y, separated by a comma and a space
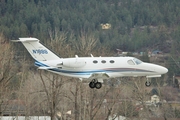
53, 88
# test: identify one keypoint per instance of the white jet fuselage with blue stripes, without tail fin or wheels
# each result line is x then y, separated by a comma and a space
84, 67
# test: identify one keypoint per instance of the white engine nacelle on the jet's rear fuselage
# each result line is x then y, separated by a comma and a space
74, 63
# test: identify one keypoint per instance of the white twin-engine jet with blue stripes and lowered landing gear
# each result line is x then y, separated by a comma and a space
94, 69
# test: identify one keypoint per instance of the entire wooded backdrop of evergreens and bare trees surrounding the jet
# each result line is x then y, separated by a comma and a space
82, 27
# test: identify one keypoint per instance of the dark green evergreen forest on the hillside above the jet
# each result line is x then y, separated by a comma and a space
134, 24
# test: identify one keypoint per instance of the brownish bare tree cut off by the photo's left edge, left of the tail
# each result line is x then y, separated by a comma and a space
6, 69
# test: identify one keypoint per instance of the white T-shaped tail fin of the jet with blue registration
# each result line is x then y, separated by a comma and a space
38, 51
